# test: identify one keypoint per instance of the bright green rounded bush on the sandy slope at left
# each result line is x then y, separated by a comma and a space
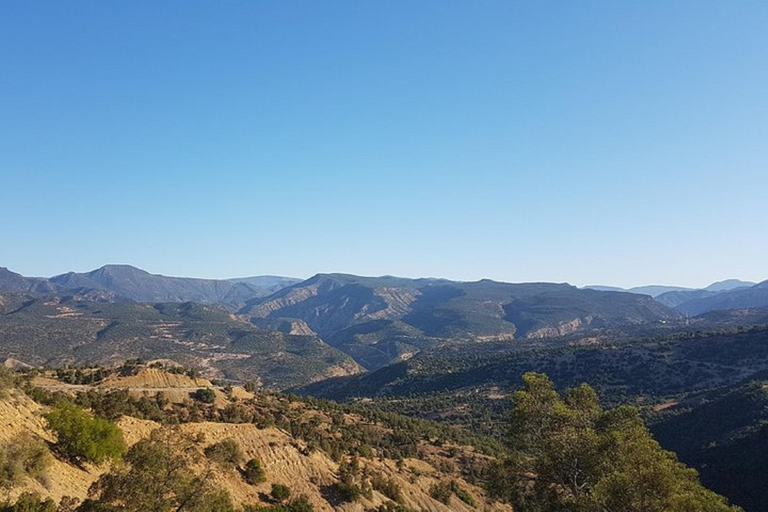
81, 436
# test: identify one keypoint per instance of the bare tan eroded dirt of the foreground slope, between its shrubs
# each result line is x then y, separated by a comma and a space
283, 458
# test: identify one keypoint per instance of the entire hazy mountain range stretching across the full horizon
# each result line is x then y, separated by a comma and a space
380, 320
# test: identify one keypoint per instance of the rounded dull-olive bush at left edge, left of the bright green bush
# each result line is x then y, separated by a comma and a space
23, 456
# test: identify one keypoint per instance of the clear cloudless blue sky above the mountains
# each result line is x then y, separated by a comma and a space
613, 142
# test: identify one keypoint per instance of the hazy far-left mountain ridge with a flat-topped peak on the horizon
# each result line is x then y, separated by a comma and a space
124, 283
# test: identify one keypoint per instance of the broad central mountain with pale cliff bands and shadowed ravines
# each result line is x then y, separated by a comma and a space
378, 320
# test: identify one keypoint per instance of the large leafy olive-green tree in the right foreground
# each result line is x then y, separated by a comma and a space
570, 454
